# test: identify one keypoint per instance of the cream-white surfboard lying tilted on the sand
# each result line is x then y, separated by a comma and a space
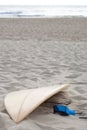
20, 104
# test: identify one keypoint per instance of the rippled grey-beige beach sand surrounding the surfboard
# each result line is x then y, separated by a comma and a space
44, 52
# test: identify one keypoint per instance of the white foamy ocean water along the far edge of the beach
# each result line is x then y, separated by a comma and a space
43, 11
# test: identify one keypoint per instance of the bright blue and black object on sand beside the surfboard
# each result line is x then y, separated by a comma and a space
63, 110
